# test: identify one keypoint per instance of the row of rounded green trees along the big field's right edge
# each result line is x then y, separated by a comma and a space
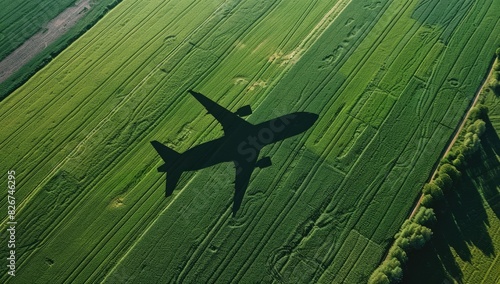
415, 232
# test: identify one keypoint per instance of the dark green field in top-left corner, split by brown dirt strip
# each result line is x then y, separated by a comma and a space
23, 19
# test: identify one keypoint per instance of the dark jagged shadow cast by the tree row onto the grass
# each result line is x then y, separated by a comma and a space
462, 220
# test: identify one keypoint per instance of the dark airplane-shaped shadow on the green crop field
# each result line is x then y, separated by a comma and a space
241, 144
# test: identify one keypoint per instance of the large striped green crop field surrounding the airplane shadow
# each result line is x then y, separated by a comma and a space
390, 81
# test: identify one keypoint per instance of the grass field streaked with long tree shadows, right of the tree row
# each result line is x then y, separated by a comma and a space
464, 248
